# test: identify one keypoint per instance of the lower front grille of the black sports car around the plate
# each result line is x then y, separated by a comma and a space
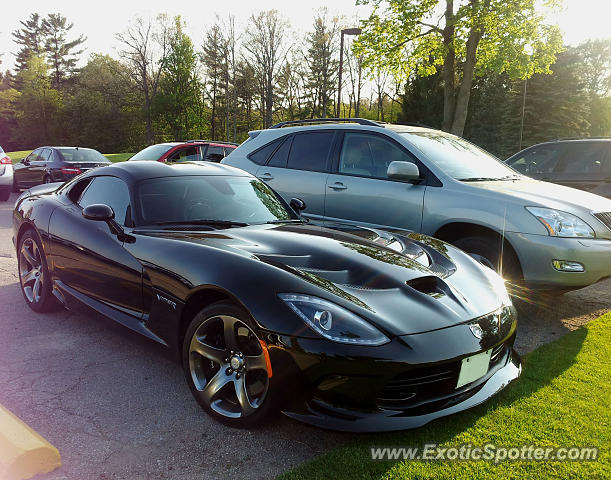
426, 389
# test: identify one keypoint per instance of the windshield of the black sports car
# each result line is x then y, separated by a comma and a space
214, 200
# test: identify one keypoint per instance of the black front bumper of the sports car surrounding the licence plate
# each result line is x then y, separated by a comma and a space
404, 384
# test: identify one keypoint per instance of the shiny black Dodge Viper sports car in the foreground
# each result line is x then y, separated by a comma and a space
345, 328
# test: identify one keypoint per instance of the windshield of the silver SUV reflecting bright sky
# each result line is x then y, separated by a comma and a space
459, 158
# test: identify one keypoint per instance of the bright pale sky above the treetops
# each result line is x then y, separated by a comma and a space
100, 21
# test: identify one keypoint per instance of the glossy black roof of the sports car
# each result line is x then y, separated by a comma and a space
132, 172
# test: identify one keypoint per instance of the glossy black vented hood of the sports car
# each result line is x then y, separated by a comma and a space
404, 284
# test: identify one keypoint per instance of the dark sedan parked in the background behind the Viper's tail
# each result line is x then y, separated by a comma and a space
55, 164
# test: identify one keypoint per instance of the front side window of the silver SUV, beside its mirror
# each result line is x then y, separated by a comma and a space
369, 155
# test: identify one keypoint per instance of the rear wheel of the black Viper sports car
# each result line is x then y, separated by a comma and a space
34, 275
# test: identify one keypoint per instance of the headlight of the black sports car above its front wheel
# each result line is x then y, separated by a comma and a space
333, 322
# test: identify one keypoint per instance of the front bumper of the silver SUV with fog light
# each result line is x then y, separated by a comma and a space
536, 253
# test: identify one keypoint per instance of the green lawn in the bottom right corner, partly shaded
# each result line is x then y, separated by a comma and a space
563, 398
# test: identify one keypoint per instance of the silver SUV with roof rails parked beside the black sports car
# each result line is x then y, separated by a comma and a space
541, 235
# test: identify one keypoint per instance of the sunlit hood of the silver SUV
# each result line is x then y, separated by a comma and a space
537, 193
